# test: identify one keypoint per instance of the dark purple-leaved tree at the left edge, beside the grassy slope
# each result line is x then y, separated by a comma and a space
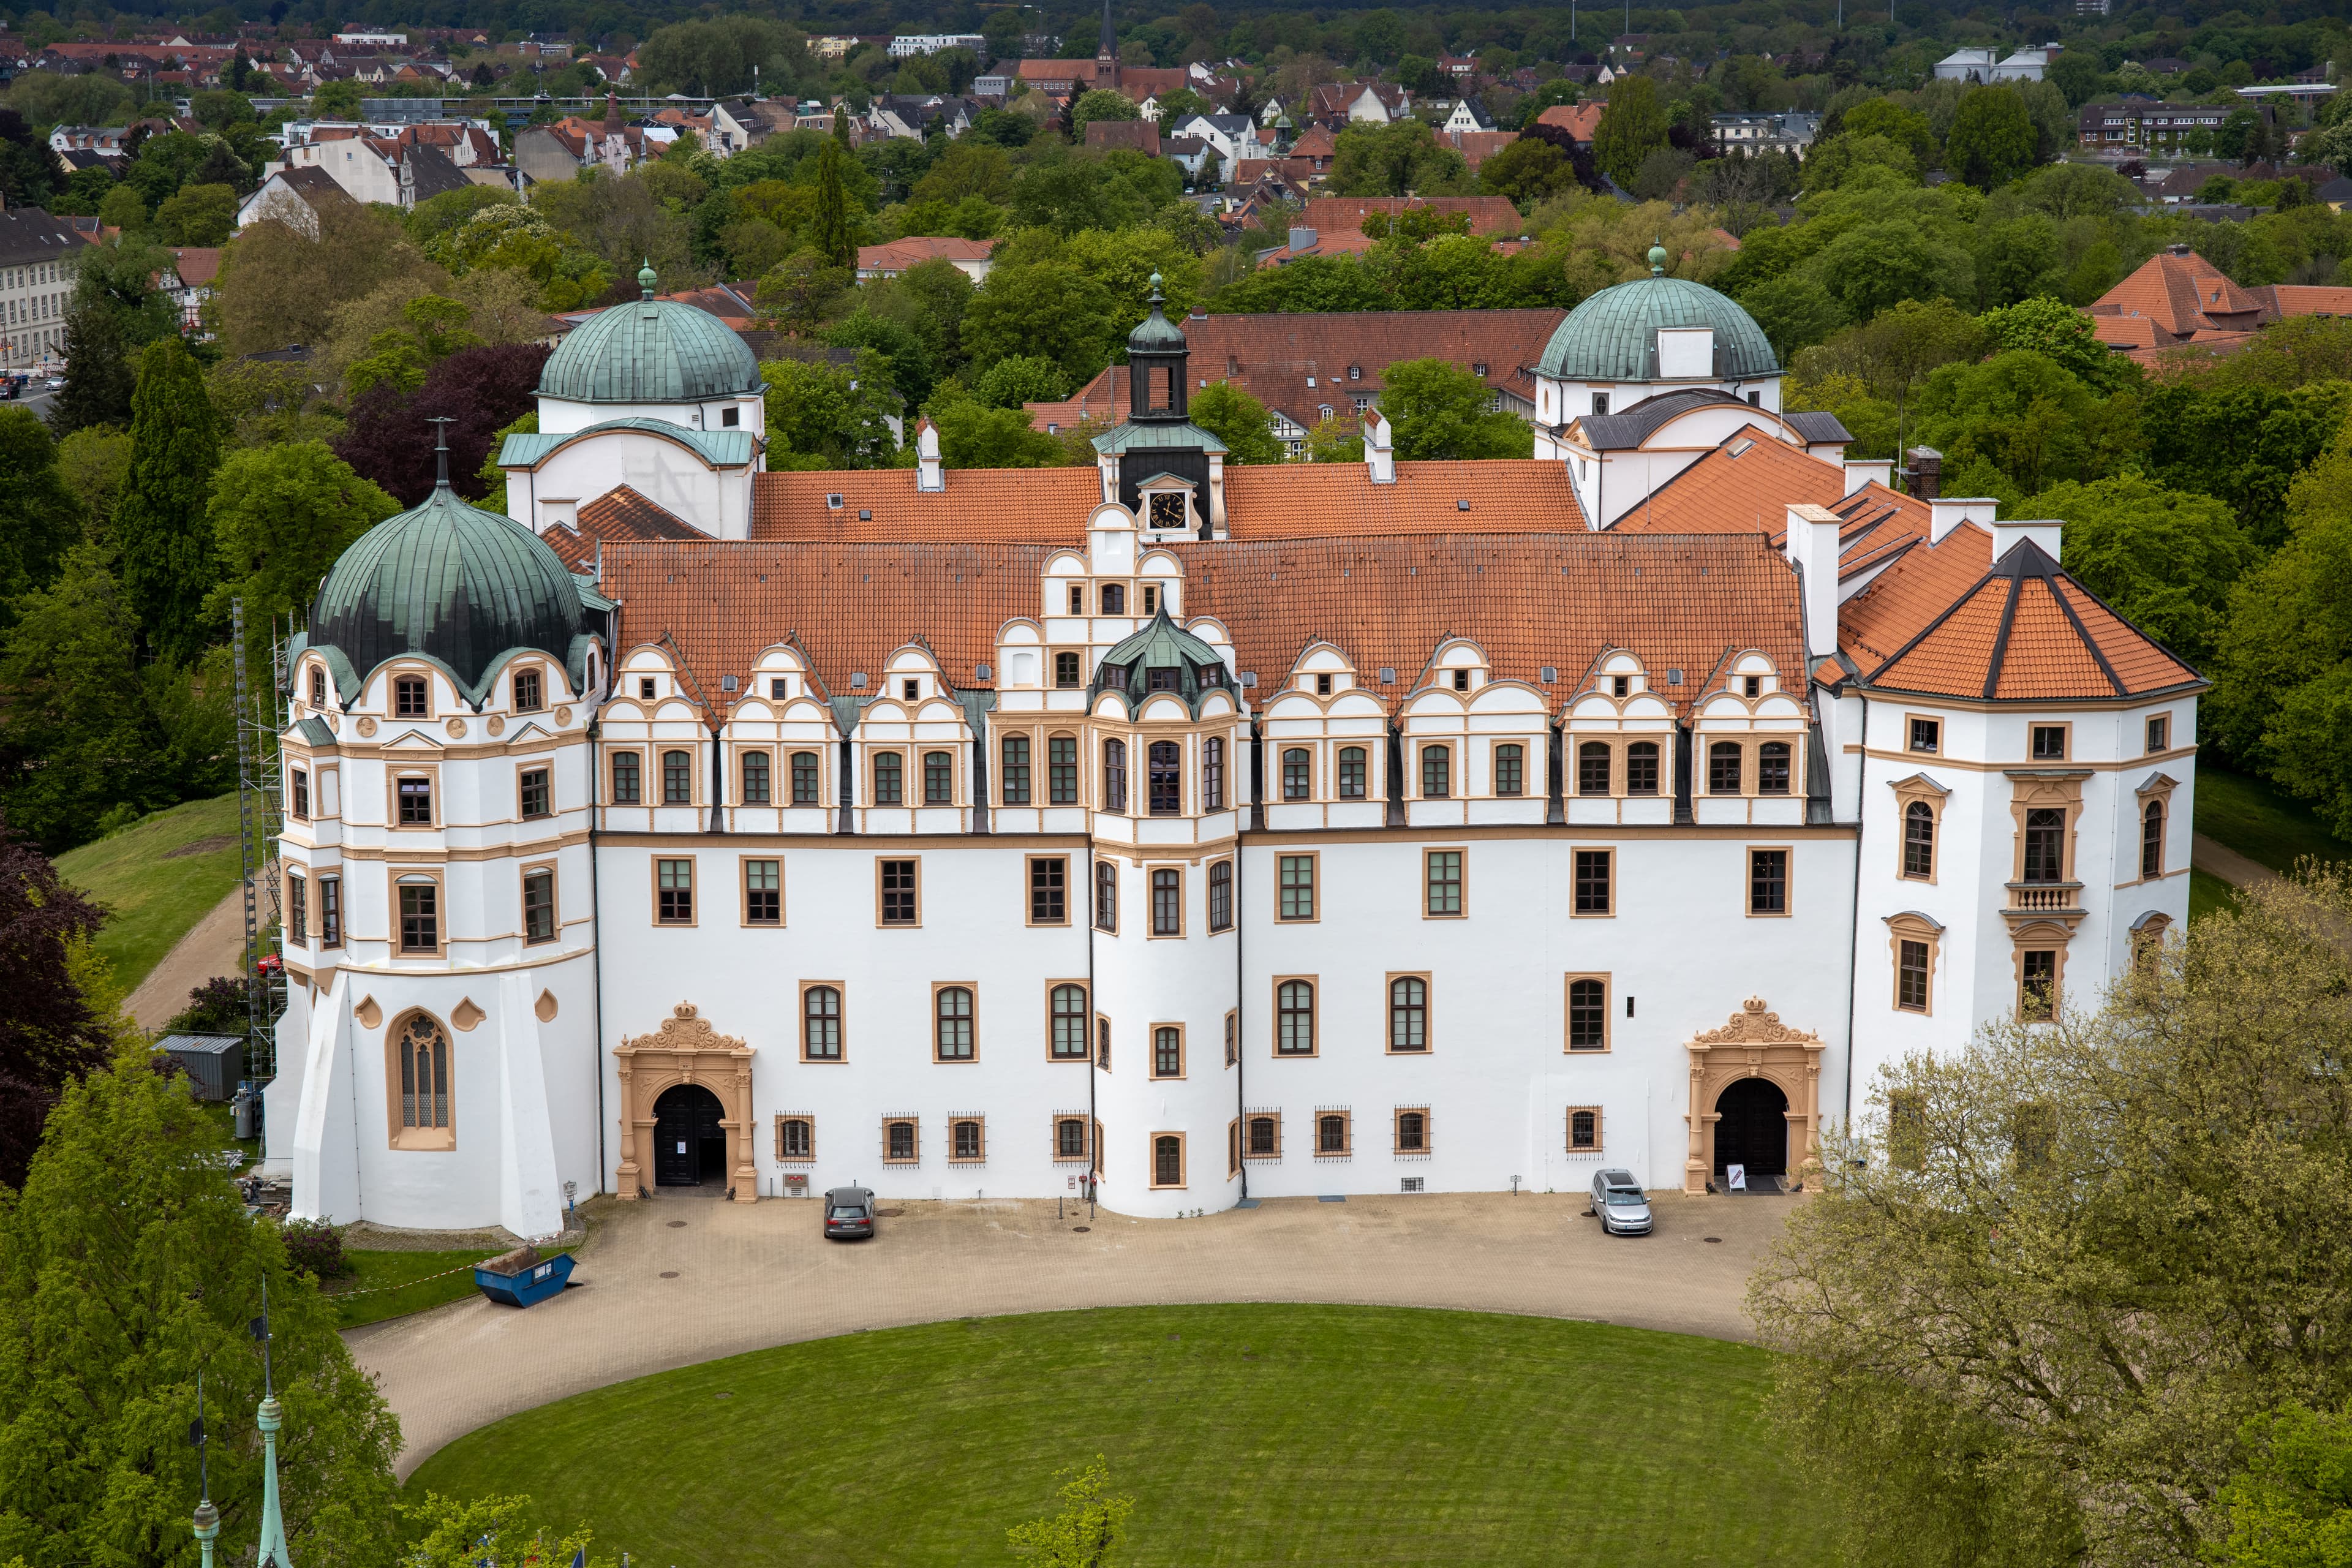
48, 1031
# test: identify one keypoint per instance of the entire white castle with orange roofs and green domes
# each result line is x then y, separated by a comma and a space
1205, 831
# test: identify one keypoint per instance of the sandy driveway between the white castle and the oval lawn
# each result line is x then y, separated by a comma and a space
683, 1280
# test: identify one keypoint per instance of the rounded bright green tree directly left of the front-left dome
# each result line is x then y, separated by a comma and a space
281, 516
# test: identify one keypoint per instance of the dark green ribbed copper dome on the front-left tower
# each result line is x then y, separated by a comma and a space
448, 582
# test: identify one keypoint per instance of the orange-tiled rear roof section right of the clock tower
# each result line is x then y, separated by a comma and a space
1311, 500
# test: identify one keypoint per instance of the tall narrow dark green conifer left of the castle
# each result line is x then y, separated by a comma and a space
168, 549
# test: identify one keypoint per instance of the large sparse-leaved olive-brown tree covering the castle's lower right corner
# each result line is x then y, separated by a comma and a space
2050, 1275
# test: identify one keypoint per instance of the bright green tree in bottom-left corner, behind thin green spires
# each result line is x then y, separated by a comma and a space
128, 1266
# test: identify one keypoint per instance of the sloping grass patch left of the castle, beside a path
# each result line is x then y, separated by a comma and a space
154, 885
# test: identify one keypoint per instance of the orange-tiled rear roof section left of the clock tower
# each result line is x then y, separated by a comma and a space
977, 504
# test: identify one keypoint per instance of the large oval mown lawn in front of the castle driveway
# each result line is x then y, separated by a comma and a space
1248, 1435
